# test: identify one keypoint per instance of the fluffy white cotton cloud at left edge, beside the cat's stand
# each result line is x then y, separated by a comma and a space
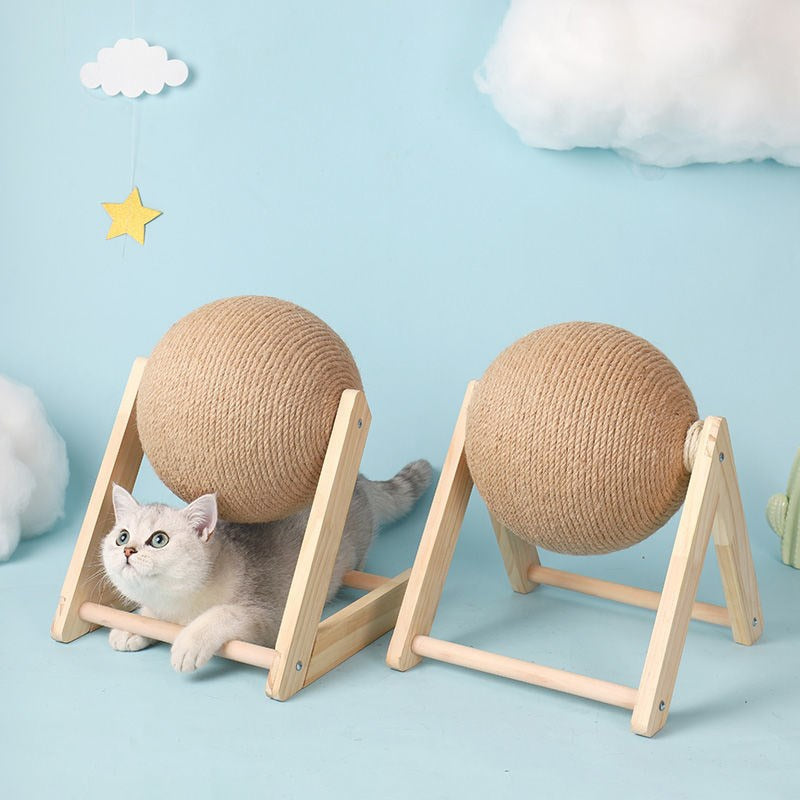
33, 467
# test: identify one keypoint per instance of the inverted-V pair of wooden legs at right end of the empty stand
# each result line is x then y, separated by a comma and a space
712, 501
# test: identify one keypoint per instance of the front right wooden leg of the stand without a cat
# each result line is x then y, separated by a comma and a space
680, 586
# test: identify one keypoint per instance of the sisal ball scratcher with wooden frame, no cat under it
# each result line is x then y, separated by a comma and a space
583, 438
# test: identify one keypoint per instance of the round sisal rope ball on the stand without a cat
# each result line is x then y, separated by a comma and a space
575, 438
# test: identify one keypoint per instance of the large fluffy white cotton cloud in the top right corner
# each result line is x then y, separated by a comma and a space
663, 83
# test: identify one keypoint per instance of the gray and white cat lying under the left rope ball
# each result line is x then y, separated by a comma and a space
223, 580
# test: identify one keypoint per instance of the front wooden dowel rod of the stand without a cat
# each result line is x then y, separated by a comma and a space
614, 694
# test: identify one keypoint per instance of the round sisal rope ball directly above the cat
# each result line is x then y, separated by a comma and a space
239, 398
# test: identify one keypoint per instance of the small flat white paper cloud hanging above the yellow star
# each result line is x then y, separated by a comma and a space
131, 66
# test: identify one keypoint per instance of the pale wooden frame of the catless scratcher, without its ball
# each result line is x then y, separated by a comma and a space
712, 504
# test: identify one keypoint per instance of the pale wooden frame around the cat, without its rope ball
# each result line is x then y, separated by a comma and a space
306, 648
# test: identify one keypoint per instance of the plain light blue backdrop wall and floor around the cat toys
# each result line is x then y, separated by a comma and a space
338, 155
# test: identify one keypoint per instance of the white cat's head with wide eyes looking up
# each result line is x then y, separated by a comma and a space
154, 551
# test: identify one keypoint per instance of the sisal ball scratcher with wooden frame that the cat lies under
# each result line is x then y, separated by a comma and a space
260, 401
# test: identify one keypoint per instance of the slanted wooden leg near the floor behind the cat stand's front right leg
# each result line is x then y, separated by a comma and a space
352, 628
